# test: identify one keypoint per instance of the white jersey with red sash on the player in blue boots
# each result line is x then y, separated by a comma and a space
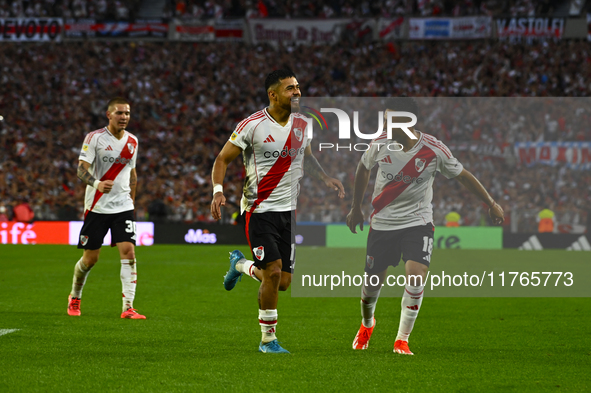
273, 157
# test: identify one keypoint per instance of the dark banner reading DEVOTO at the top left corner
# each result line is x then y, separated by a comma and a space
31, 29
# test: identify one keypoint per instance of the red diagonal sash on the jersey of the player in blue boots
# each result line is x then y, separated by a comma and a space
281, 166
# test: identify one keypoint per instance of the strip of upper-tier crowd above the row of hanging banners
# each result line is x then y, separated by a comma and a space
207, 9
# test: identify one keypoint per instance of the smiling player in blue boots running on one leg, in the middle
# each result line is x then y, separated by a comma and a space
273, 142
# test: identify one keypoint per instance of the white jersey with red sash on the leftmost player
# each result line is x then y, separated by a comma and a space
110, 159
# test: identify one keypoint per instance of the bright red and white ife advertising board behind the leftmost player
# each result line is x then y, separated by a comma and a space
61, 232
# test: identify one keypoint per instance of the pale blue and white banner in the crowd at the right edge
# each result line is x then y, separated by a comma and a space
575, 155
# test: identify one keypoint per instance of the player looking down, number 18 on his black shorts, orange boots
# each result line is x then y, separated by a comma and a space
401, 224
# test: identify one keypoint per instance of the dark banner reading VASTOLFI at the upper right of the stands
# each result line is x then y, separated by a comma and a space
530, 27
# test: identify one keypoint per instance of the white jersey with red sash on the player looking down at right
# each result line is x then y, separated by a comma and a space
404, 182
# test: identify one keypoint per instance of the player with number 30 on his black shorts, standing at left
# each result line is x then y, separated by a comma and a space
107, 166
